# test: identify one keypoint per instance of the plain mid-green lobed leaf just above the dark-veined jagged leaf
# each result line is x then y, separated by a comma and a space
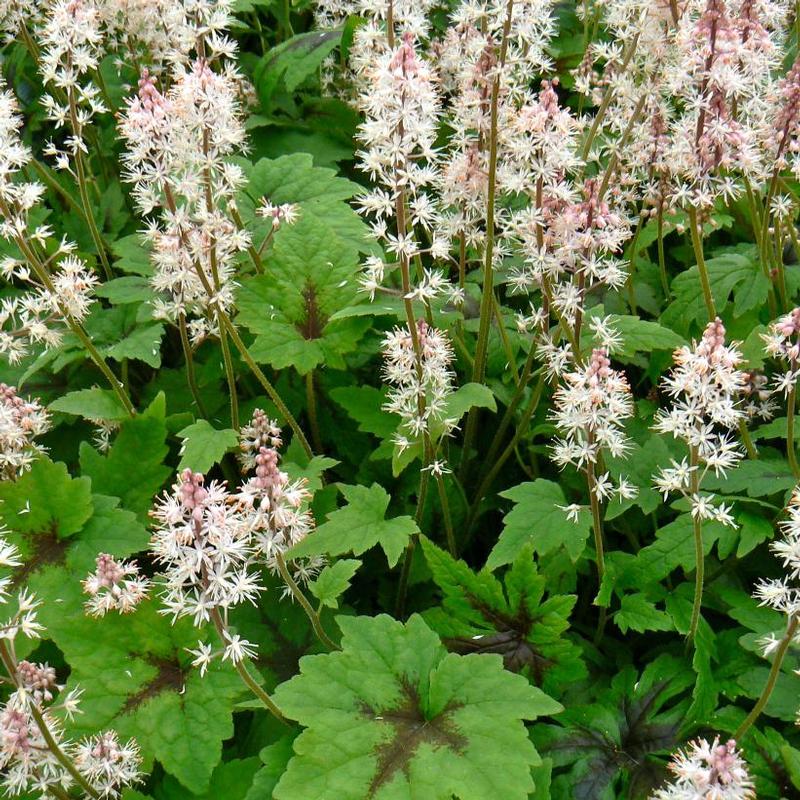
536, 520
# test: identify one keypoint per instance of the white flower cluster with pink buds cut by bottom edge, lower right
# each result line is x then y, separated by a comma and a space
708, 772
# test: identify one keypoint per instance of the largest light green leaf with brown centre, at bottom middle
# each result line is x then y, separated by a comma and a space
394, 715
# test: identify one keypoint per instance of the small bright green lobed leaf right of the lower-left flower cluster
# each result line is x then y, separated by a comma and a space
359, 526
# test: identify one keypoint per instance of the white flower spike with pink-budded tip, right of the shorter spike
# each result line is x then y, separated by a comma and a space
705, 386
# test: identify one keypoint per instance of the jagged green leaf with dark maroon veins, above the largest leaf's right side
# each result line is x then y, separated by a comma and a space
481, 615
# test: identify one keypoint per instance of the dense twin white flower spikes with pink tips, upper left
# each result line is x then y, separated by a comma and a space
176, 159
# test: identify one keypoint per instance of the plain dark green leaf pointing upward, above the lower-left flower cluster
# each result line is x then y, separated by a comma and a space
133, 469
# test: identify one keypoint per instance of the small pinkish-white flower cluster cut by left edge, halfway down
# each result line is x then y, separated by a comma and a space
21, 421
